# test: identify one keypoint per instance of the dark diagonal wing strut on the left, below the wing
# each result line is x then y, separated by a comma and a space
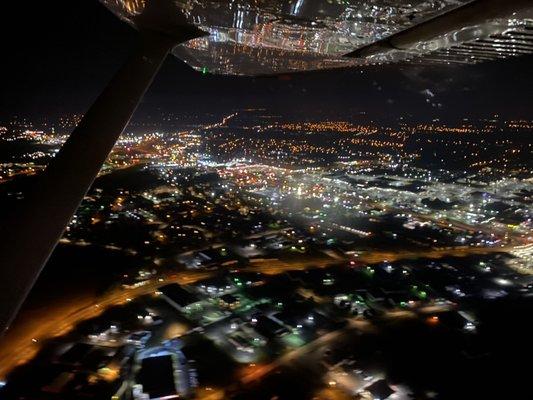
30, 233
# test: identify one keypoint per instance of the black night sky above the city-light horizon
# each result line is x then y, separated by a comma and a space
58, 55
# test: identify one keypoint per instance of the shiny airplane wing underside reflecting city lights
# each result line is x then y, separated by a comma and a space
265, 37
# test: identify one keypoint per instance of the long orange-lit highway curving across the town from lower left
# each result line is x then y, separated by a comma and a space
18, 345
